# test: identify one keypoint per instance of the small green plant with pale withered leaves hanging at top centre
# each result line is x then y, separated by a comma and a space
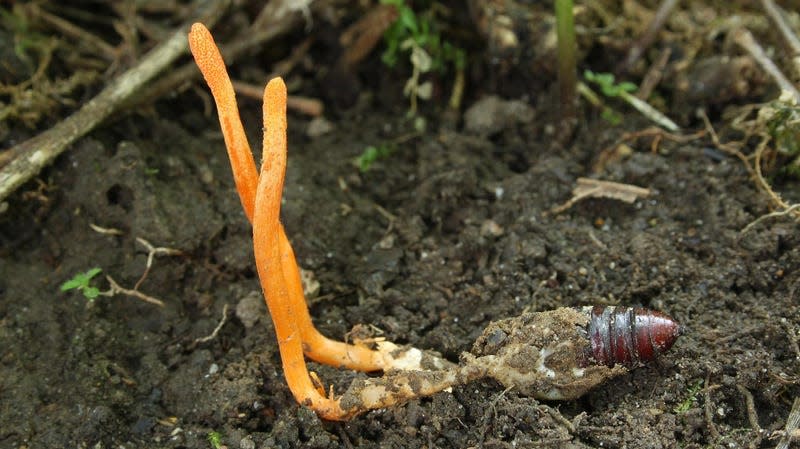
419, 36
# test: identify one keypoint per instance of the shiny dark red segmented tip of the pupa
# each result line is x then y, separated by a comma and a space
629, 336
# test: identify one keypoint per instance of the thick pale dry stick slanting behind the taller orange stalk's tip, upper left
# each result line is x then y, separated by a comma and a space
31, 156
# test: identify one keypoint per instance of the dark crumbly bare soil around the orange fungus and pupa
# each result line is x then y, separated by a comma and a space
450, 232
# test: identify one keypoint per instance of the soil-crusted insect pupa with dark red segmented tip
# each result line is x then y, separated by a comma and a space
563, 353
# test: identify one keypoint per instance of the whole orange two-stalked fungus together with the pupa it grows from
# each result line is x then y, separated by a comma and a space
557, 354
